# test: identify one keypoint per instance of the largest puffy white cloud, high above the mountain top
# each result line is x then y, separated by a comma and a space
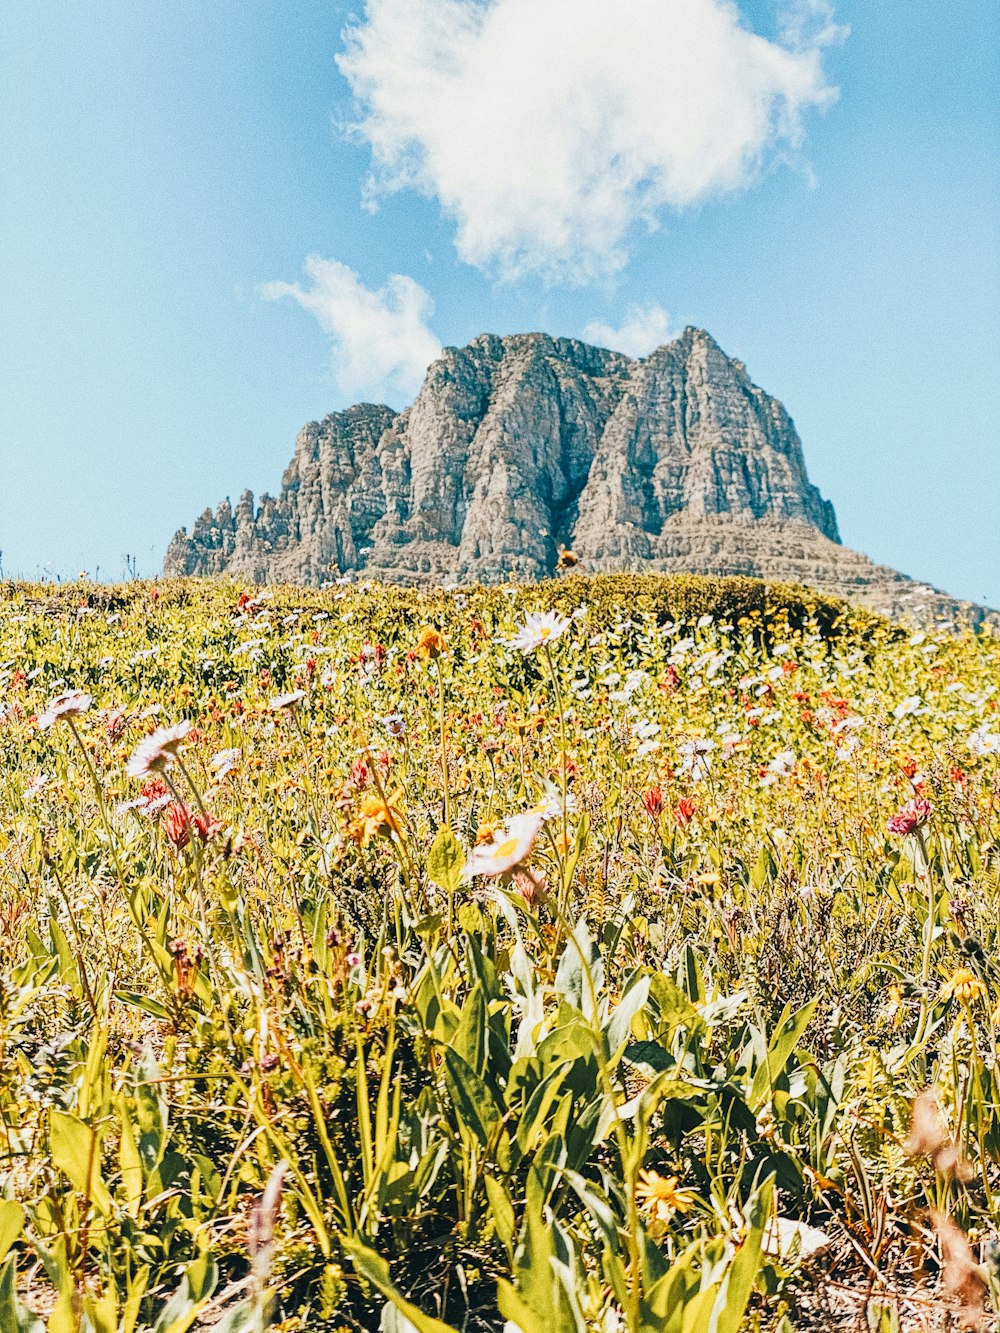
549, 129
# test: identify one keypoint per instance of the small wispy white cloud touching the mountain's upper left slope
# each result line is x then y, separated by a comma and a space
382, 341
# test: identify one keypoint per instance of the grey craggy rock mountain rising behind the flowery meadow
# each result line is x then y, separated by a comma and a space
519, 446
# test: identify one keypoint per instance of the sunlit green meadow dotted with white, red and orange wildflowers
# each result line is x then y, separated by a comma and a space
605, 956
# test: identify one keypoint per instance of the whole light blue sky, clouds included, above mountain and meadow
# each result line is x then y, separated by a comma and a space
835, 226
